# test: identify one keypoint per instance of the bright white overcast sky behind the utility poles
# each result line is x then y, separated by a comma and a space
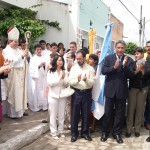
131, 26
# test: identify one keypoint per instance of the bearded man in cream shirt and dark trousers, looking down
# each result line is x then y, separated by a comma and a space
81, 78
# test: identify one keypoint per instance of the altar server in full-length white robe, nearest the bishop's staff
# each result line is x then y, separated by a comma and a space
38, 72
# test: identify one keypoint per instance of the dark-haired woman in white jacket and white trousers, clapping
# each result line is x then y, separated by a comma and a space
57, 80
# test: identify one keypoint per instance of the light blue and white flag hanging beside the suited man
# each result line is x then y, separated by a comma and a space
98, 88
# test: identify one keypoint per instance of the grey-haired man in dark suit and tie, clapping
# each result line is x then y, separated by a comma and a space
117, 68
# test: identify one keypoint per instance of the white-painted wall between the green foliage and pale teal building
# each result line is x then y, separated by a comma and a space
66, 15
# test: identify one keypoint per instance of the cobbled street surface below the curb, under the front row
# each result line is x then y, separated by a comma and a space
46, 142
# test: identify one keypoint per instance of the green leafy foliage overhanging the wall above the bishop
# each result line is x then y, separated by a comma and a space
23, 19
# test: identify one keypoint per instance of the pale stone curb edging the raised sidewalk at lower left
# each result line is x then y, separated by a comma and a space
25, 138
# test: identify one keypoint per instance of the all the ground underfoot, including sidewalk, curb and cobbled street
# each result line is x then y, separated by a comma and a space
18, 133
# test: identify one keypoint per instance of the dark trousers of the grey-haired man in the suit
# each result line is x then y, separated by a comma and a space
114, 115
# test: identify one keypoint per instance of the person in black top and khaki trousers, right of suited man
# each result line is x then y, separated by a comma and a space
137, 95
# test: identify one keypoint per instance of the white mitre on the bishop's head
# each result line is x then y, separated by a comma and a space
13, 34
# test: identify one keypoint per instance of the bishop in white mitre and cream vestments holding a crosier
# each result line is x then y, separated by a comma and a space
16, 82
